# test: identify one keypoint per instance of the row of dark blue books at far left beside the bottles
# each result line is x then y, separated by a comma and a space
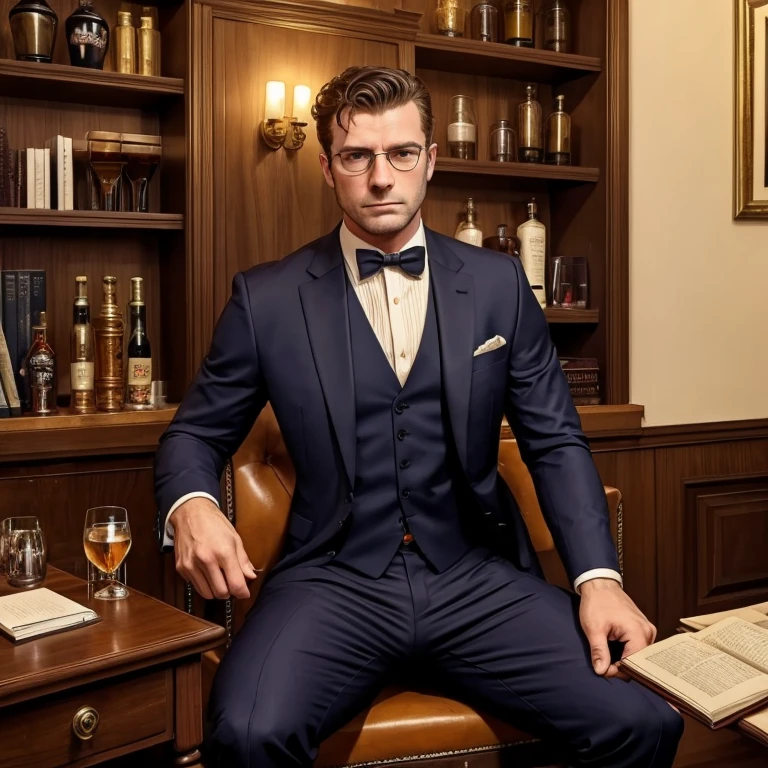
23, 298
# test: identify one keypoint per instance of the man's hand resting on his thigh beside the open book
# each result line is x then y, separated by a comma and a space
607, 613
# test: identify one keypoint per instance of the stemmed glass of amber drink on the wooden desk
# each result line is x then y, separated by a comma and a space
106, 540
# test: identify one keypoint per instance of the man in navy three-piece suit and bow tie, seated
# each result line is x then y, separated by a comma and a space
389, 354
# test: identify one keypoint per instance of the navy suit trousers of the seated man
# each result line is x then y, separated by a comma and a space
323, 640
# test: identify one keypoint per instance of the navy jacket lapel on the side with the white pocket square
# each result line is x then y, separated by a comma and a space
455, 310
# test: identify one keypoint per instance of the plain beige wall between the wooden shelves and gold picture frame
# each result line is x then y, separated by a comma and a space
698, 280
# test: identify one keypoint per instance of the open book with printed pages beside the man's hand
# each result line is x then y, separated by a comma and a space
700, 674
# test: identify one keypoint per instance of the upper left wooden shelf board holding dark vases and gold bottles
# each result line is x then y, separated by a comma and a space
62, 83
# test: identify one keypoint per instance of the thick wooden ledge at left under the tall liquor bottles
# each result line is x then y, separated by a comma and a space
69, 434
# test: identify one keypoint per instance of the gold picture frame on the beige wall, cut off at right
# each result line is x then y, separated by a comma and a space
751, 110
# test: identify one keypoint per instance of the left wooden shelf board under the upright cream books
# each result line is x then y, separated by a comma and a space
93, 219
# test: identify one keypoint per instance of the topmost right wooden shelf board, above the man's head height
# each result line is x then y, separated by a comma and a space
473, 57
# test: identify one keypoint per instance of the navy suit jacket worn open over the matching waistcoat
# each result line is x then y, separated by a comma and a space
283, 337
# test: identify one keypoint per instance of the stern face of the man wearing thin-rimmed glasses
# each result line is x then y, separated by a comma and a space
382, 202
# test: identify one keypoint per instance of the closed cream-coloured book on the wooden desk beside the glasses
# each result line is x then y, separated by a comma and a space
38, 612
